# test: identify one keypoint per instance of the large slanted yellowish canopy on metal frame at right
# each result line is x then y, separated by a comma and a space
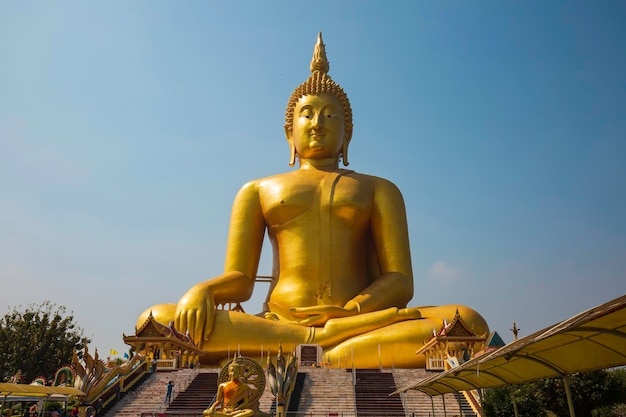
593, 339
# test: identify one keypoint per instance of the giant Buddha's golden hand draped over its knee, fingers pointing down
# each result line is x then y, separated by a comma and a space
195, 312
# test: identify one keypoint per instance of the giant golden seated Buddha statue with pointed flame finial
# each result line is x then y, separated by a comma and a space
342, 274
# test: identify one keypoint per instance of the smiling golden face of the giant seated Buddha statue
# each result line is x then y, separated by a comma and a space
318, 129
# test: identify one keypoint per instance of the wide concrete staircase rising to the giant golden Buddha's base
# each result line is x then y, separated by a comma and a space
324, 392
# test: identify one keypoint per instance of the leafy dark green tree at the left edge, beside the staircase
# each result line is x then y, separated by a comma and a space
38, 341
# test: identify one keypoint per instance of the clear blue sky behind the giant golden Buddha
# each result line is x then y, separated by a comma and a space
127, 127
